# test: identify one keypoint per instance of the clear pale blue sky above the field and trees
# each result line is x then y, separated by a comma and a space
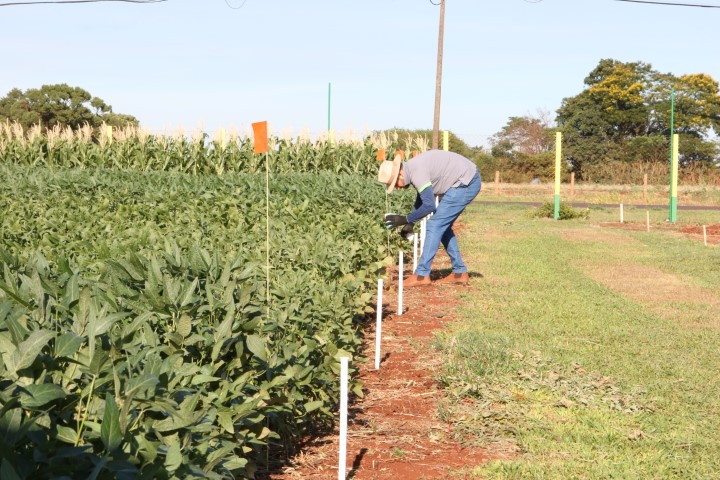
202, 64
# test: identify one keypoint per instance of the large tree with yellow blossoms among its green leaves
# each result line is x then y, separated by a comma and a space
624, 114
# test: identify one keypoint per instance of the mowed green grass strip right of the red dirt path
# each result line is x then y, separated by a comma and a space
574, 369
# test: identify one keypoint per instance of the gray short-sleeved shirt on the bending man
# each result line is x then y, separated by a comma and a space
439, 168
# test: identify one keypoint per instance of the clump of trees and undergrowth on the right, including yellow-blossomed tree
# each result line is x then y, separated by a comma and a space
621, 122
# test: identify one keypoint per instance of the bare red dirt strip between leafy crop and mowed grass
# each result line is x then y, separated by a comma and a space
395, 431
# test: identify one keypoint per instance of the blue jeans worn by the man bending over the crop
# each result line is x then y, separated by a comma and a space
439, 227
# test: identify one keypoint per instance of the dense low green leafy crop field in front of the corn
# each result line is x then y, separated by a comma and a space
136, 339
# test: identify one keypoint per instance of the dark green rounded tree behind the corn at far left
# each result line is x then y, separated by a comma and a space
60, 104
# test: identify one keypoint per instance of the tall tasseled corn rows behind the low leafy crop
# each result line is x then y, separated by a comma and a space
197, 153
